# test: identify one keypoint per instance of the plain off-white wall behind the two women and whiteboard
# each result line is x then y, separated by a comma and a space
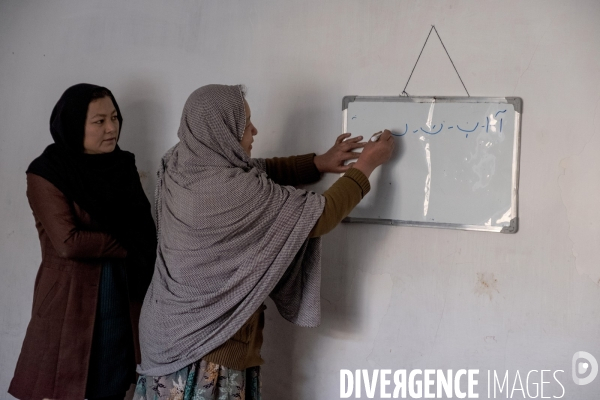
393, 297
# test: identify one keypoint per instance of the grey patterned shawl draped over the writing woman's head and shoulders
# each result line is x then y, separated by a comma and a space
228, 238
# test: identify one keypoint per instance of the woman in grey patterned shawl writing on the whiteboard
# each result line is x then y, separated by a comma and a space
233, 230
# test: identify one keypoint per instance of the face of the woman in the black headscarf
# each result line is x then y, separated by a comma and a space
101, 127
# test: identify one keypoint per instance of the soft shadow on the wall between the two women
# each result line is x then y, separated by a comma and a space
144, 119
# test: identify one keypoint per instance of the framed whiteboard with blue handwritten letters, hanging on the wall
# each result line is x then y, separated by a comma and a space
456, 162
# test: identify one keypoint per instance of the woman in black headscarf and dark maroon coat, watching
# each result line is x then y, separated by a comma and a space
98, 244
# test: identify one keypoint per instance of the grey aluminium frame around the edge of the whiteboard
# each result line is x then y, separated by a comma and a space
517, 103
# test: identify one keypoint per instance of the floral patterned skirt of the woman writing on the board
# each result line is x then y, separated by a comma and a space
201, 380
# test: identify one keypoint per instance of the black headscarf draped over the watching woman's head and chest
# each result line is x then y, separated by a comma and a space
107, 186
